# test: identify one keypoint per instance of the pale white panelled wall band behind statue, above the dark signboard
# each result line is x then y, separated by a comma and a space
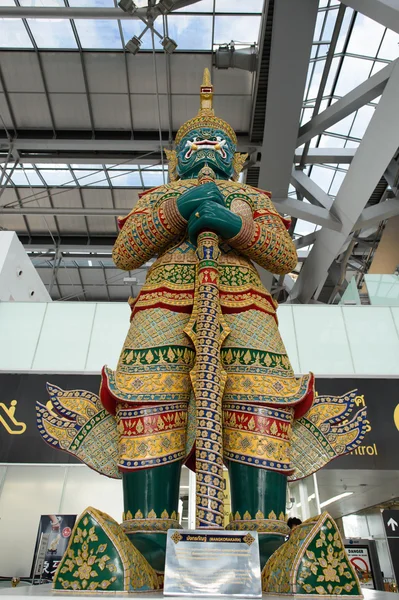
83, 336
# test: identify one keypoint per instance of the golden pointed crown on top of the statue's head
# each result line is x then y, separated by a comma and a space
206, 114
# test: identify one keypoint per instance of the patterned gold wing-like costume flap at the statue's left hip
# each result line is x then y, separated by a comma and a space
76, 422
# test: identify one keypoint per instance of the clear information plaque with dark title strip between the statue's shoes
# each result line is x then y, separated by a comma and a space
212, 563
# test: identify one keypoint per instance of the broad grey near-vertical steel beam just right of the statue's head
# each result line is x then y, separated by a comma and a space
292, 36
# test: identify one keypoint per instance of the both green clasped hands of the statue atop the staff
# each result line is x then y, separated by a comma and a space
203, 207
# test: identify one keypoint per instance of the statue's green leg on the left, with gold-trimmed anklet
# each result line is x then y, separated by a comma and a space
146, 492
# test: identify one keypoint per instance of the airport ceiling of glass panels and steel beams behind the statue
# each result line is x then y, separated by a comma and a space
83, 122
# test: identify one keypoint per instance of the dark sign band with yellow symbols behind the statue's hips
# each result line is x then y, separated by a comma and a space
20, 441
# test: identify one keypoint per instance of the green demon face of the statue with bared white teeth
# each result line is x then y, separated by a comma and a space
205, 146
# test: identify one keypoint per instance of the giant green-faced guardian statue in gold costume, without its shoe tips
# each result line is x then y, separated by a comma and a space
203, 377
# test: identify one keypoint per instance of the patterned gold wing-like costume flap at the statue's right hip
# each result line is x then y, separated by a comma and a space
325, 432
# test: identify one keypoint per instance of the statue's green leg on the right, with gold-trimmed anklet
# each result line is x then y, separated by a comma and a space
262, 494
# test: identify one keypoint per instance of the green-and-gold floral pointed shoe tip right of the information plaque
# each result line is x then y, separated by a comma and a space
313, 562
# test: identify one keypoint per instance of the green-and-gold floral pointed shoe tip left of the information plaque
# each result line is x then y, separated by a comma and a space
100, 558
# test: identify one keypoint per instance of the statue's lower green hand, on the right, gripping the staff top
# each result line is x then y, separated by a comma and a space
212, 216
